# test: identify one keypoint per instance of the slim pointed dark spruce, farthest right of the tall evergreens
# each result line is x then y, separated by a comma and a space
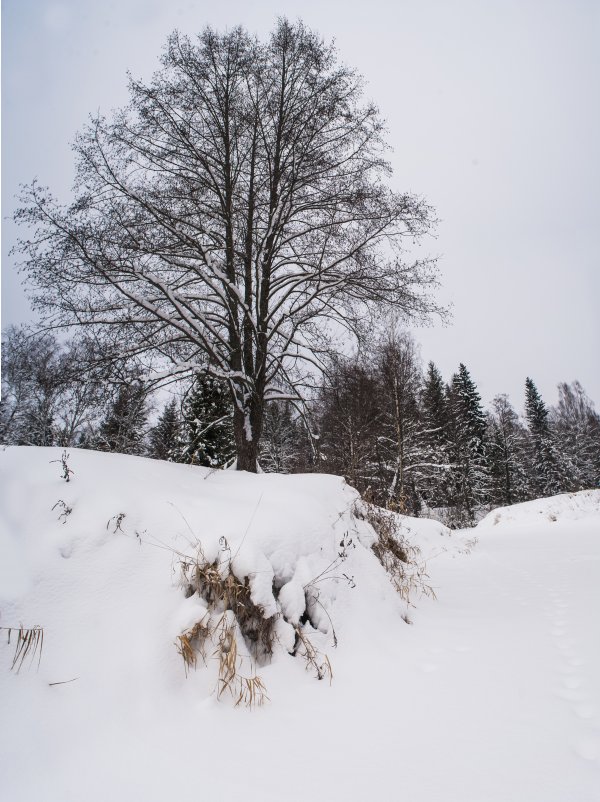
547, 479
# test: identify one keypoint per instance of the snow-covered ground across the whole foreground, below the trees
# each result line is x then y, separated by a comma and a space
493, 692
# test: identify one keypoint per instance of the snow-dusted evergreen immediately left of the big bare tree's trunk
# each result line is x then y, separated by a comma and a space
208, 437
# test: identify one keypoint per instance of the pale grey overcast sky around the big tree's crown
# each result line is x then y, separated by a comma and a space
493, 113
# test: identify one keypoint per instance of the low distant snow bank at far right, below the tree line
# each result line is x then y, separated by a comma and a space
564, 507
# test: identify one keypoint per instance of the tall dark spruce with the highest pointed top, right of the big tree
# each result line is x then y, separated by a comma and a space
470, 473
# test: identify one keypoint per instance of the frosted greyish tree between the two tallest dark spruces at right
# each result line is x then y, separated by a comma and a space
507, 447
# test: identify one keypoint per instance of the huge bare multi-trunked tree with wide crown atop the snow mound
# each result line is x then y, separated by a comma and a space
230, 218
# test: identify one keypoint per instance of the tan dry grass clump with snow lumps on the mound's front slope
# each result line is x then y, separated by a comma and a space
240, 631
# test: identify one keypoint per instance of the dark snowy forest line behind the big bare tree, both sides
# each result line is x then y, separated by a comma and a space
400, 434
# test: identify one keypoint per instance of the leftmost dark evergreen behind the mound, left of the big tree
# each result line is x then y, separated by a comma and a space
124, 427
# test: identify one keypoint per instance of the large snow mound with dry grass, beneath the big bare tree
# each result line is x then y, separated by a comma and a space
133, 560
